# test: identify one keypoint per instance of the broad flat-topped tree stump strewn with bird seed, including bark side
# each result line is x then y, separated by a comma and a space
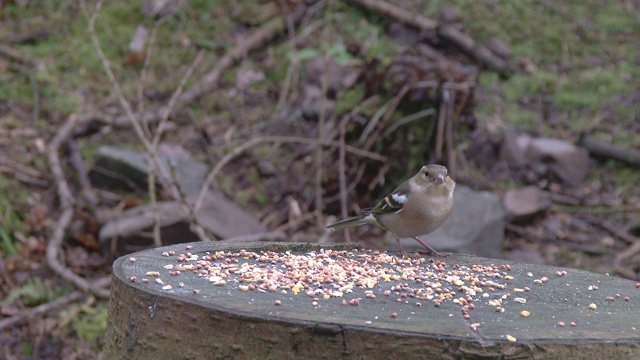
288, 301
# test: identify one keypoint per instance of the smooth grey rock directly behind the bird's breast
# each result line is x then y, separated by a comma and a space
476, 226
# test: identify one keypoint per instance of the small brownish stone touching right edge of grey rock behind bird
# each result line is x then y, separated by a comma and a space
524, 204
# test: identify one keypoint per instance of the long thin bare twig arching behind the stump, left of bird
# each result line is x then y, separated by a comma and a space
274, 139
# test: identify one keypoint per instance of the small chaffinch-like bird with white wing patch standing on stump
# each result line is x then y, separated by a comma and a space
416, 207
